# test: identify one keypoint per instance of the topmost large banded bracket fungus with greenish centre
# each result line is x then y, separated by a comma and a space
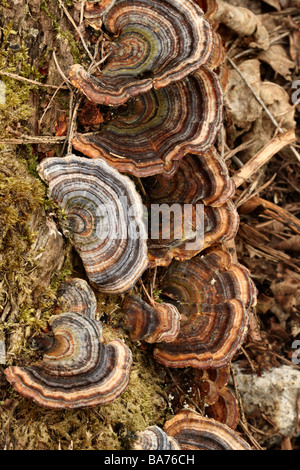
156, 43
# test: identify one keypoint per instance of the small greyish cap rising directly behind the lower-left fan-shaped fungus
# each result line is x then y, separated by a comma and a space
75, 295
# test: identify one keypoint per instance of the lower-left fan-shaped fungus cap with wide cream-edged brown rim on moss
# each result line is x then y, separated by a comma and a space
78, 370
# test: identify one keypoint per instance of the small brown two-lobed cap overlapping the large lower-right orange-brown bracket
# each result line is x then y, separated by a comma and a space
154, 324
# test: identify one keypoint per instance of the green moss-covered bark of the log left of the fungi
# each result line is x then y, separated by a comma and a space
34, 257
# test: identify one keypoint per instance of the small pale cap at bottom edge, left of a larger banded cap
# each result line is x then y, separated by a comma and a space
154, 438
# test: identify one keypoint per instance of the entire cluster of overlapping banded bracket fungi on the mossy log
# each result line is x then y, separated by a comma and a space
163, 85
